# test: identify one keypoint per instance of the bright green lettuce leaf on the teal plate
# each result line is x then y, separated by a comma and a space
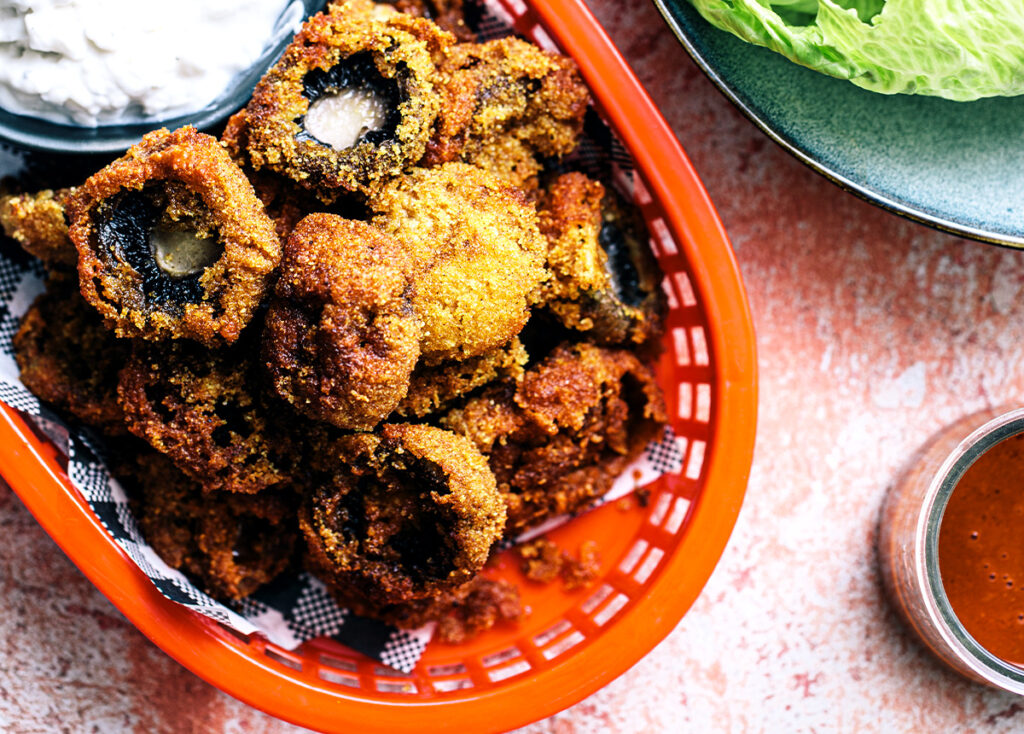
958, 50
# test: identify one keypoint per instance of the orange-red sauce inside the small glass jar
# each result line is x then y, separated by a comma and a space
982, 550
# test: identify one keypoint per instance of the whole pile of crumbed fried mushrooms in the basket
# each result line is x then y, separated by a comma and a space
371, 331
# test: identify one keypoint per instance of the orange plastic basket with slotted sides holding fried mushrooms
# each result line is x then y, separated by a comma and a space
656, 557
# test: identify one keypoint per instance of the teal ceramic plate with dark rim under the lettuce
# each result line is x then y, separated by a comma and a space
956, 166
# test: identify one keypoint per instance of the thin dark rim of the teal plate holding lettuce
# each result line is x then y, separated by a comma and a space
861, 191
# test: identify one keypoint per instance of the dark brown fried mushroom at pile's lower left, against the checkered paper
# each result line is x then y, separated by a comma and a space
231, 545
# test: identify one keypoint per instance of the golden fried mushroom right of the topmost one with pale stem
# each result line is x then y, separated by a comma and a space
507, 89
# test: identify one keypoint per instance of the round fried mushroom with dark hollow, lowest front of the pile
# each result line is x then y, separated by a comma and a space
409, 513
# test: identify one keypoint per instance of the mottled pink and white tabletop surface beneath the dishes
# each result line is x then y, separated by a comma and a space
873, 333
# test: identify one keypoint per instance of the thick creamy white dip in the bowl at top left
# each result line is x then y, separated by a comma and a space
99, 62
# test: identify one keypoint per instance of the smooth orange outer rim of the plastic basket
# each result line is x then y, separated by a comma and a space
31, 467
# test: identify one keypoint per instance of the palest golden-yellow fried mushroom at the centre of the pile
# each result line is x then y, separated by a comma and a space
480, 253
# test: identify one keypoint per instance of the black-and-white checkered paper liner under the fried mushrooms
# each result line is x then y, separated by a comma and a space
293, 610
